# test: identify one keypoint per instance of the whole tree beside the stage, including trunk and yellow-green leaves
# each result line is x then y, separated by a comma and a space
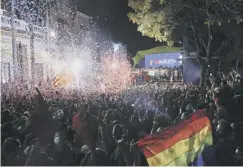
170, 20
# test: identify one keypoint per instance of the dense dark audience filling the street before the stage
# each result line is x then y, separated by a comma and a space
65, 128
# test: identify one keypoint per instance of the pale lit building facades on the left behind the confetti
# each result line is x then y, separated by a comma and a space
42, 45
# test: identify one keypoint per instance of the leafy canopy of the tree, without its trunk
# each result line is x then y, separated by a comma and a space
161, 19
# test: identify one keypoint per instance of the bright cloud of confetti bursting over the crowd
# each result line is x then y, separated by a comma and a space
95, 68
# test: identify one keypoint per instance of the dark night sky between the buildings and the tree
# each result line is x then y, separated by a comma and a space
113, 17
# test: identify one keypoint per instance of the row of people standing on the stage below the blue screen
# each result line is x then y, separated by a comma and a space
162, 74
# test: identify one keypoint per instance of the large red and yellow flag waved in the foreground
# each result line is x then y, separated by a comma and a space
180, 144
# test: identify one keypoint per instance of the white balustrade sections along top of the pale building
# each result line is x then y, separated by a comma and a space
21, 25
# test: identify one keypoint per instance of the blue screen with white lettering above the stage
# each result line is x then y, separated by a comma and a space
169, 60
